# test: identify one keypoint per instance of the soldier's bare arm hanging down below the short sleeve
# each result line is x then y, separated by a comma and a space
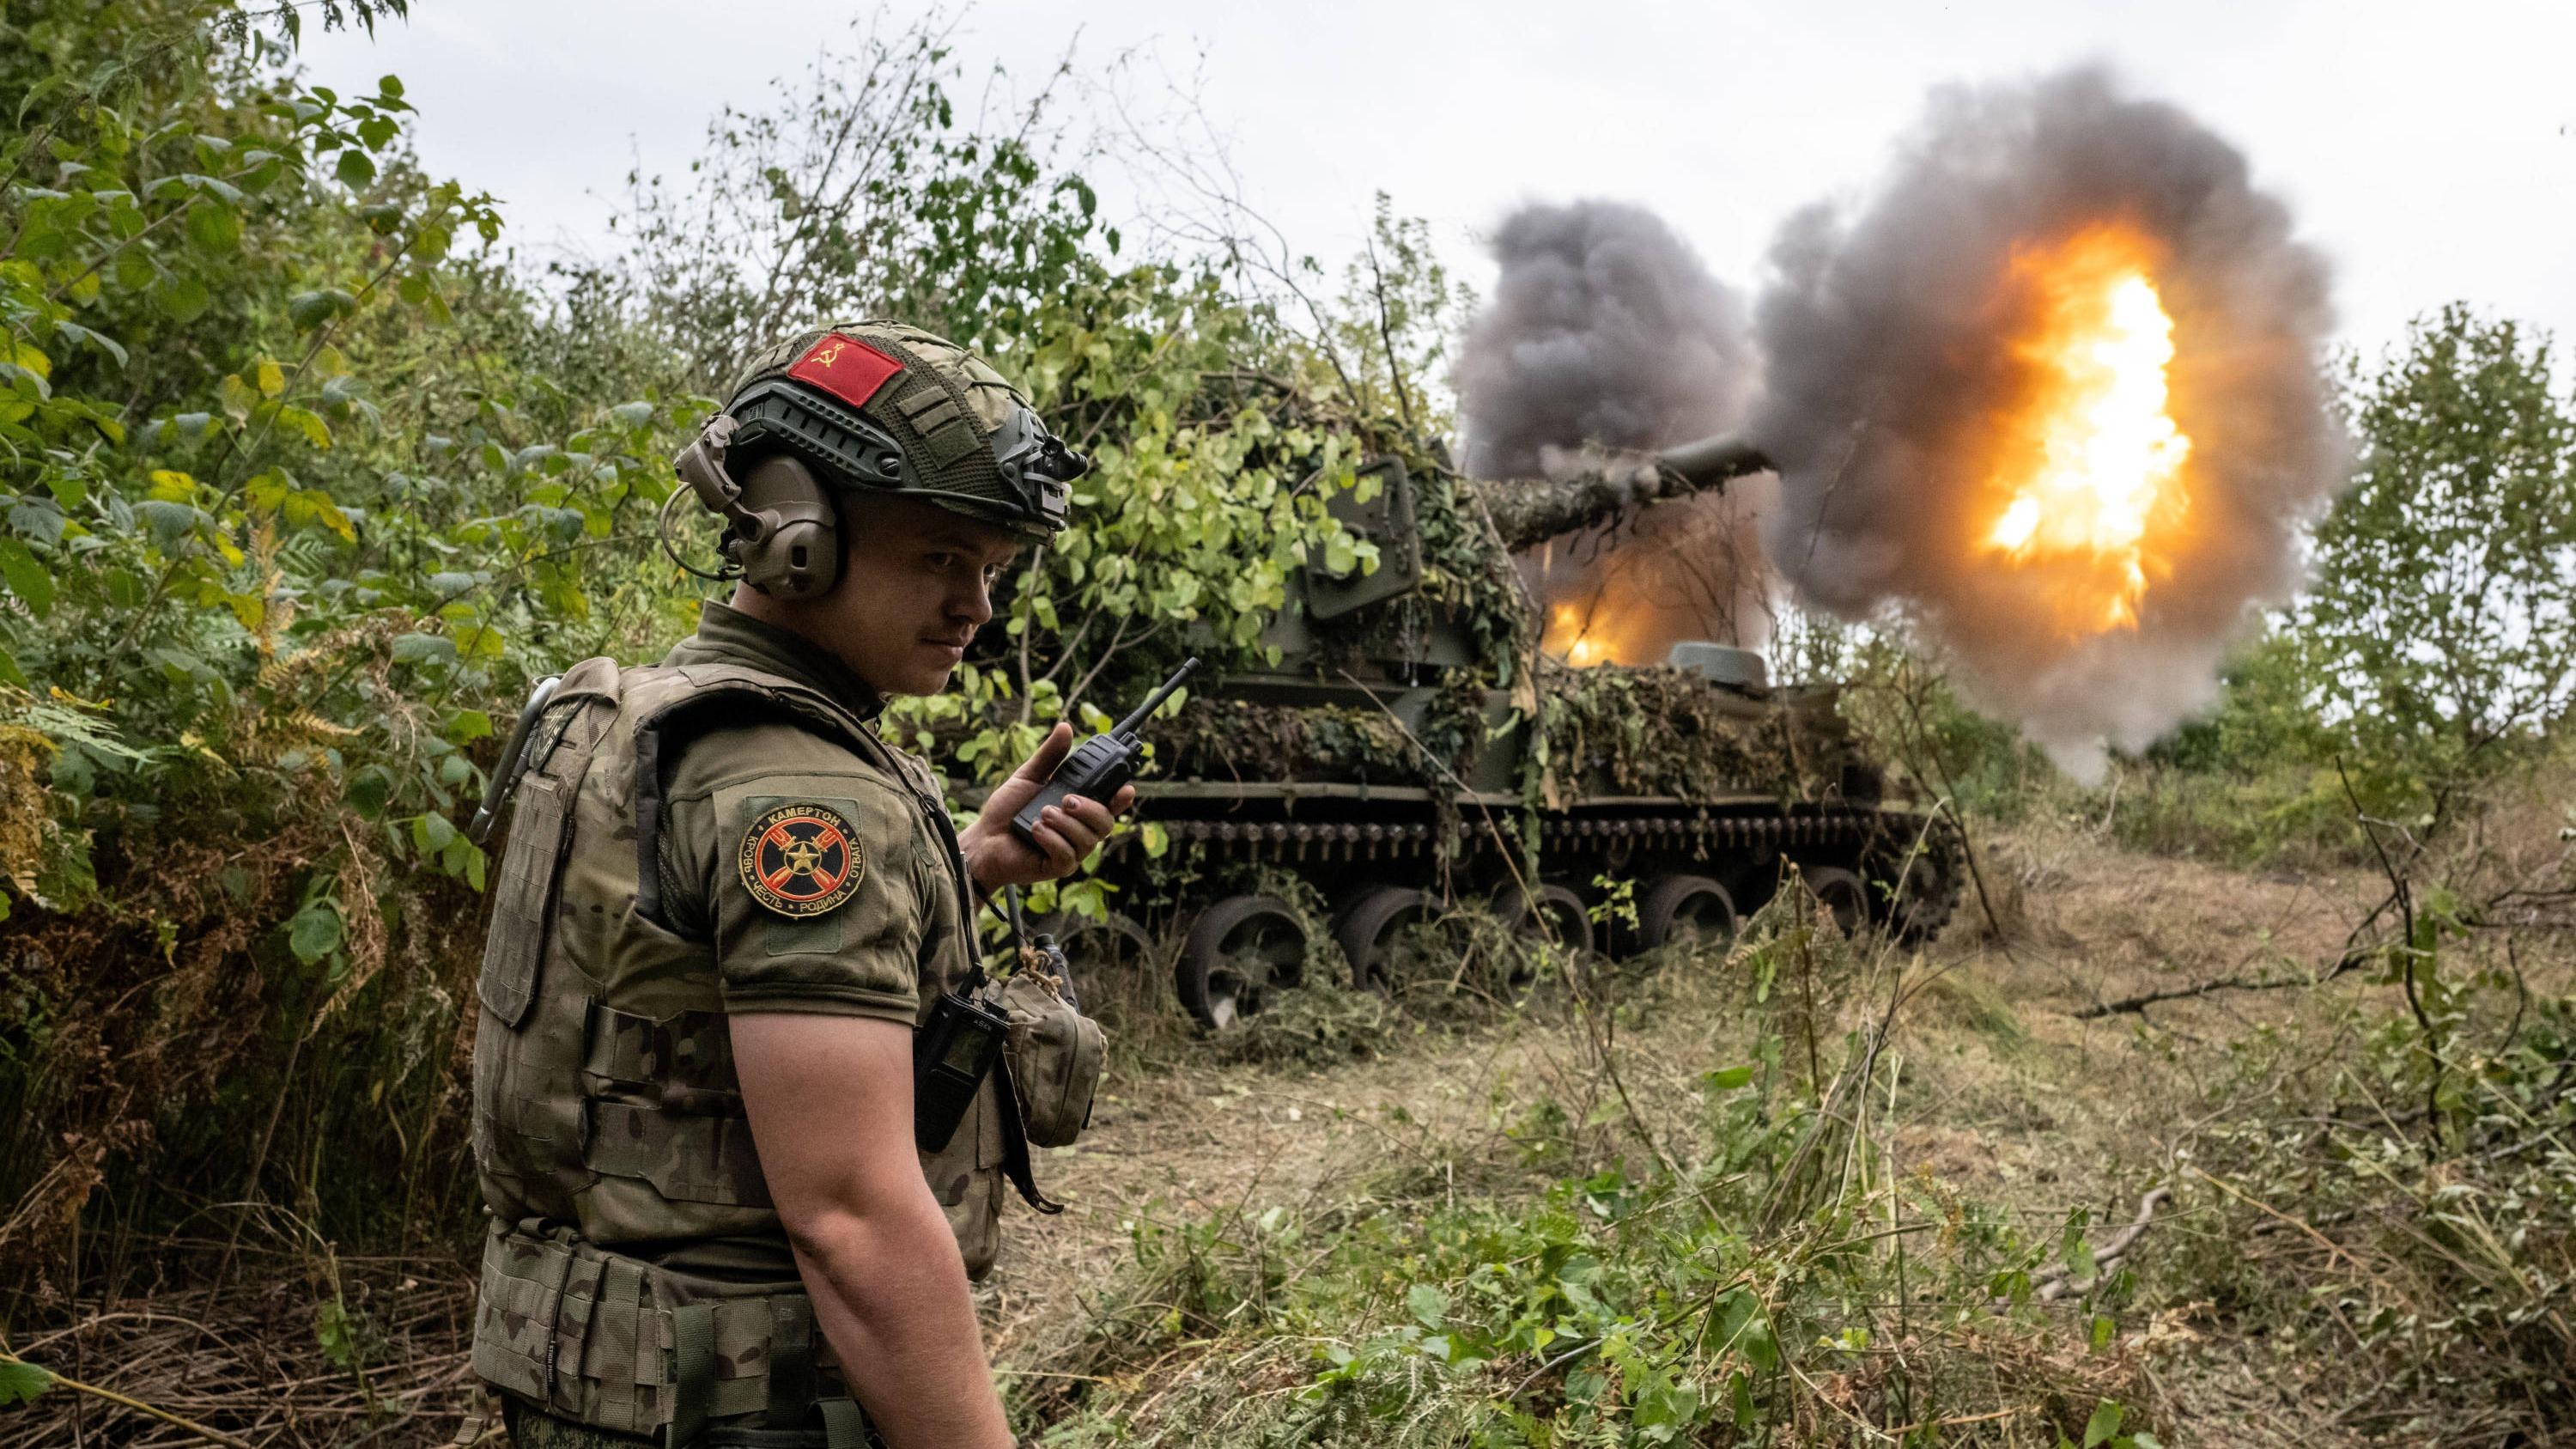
831, 1105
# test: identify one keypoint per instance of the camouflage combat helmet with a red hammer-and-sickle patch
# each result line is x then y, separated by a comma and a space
890, 409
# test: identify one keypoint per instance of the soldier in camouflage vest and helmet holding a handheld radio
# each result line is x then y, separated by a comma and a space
725, 911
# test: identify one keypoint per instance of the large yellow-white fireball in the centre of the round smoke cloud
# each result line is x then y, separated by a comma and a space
2090, 471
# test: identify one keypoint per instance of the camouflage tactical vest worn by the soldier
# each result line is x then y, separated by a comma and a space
607, 1115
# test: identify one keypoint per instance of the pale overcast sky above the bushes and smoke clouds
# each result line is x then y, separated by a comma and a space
2428, 148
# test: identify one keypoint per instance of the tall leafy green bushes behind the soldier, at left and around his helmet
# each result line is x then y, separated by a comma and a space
305, 483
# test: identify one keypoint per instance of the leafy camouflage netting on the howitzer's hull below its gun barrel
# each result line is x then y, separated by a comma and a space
1663, 731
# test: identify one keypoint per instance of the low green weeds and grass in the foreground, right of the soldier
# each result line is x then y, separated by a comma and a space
1743, 1280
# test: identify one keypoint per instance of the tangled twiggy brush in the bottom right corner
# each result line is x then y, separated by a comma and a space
2412, 1234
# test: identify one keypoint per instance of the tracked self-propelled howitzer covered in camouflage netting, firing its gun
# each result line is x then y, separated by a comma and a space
1416, 749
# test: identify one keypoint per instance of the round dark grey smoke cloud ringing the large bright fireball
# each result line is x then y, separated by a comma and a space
1884, 365
